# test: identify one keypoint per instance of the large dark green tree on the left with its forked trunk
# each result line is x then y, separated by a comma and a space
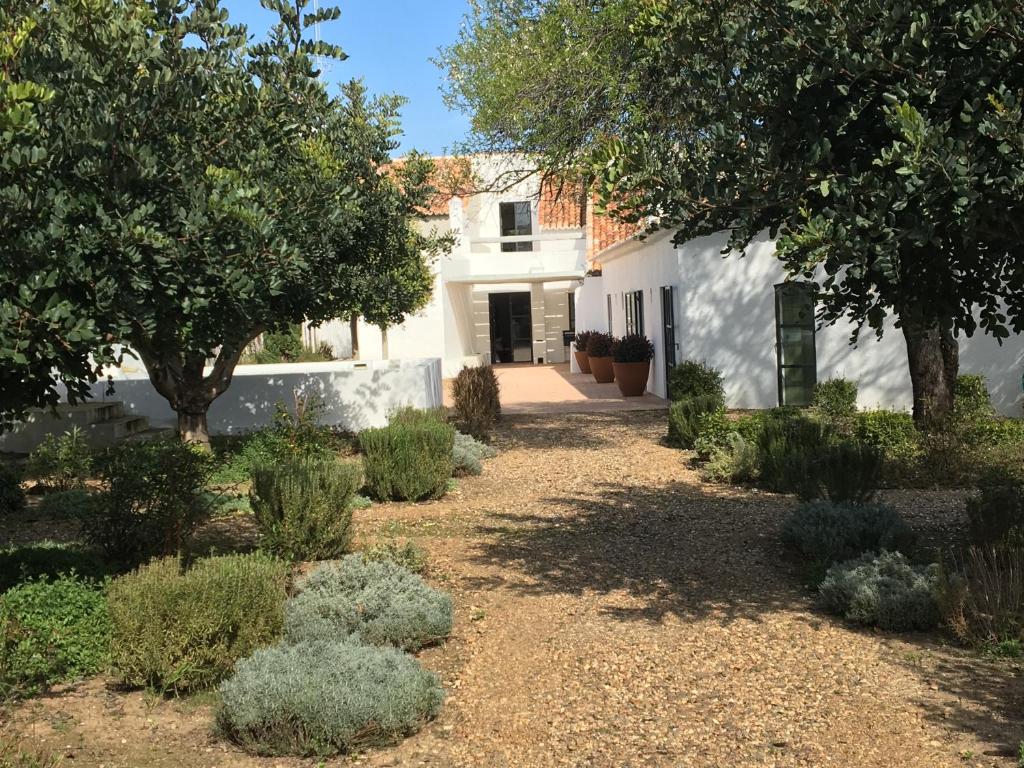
184, 191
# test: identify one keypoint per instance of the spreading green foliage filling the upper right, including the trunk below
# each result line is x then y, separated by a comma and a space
880, 142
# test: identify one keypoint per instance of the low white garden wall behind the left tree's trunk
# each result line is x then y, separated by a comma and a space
356, 395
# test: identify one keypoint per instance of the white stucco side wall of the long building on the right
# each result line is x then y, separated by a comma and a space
726, 315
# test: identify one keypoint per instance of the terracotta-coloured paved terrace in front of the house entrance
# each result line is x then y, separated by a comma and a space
552, 390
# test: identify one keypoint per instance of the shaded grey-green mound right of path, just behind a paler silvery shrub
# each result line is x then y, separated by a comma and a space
825, 533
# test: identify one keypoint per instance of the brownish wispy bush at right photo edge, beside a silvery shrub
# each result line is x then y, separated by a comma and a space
983, 595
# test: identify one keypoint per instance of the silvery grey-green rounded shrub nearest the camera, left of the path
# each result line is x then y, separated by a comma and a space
326, 698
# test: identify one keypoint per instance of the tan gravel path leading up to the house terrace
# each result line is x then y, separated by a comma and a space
616, 612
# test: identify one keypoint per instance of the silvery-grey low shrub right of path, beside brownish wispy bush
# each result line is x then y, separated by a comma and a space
883, 591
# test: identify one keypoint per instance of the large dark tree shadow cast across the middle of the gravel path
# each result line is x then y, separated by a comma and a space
675, 550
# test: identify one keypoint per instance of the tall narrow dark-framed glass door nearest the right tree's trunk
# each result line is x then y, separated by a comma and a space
795, 344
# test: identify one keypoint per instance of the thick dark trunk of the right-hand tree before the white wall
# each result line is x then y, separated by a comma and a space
934, 357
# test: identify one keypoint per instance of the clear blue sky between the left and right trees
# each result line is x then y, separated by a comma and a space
389, 44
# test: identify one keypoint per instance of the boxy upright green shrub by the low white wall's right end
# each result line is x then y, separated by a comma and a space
408, 462
